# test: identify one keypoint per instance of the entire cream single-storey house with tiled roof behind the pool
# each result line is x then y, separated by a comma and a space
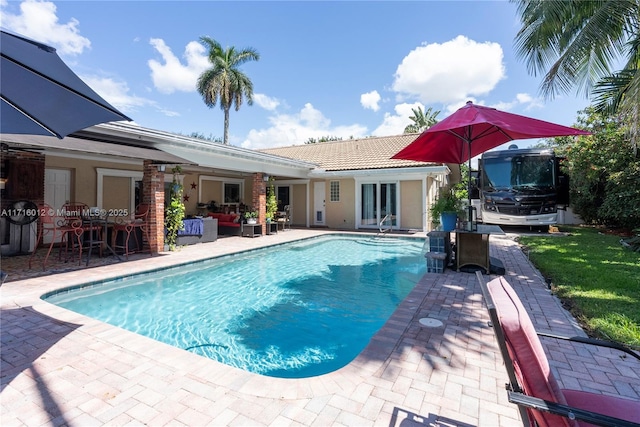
347, 185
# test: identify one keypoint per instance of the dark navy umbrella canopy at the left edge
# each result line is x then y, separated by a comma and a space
41, 95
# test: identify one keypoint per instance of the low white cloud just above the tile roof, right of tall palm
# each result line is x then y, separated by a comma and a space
294, 129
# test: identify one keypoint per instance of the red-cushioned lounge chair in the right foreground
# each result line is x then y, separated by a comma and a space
532, 385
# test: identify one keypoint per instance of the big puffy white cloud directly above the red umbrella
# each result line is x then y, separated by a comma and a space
450, 72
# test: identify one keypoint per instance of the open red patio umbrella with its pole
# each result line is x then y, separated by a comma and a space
474, 129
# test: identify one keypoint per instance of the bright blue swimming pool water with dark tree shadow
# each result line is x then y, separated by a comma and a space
295, 310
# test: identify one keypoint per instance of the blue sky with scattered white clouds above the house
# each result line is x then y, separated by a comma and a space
345, 69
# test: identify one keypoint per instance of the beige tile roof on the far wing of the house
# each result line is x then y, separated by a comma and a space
352, 154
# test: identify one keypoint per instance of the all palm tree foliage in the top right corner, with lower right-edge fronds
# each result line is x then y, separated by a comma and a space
576, 43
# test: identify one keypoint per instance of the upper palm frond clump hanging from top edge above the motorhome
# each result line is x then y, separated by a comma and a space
574, 42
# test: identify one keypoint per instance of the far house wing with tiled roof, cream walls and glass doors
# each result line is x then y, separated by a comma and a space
356, 183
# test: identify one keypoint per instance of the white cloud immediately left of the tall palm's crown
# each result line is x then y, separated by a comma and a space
172, 75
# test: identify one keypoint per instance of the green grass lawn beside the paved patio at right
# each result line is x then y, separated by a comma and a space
595, 277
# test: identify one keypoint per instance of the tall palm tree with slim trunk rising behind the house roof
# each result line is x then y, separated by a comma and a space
224, 82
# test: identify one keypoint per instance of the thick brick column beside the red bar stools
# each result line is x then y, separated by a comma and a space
153, 195
